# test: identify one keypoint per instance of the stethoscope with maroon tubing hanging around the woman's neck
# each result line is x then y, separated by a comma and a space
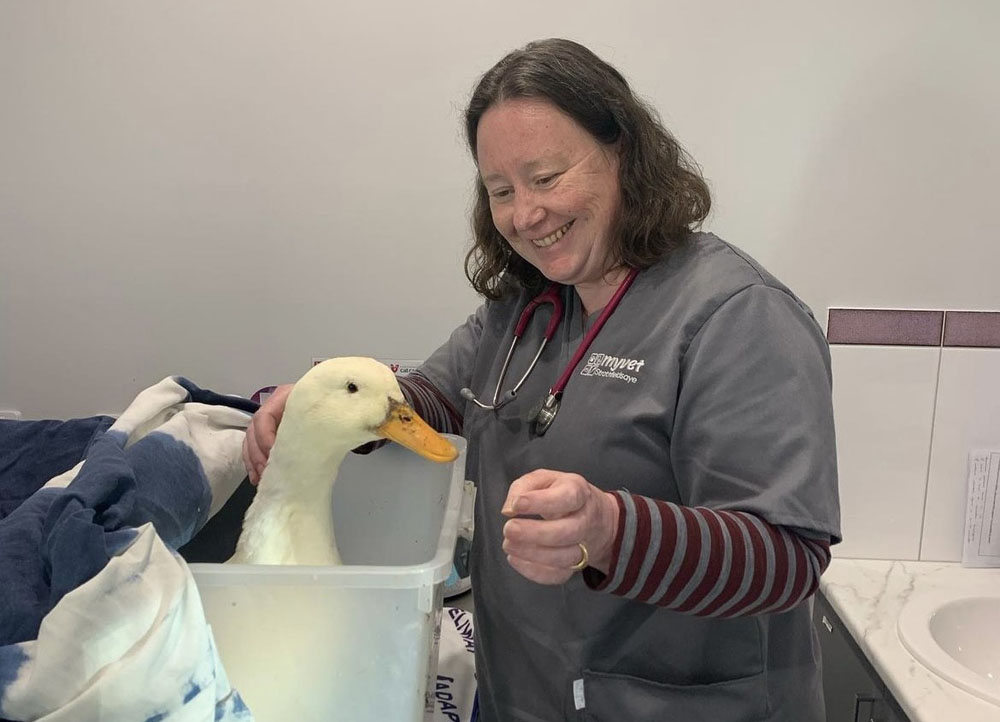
543, 416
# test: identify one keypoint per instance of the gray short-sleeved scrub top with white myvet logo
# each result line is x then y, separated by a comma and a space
709, 386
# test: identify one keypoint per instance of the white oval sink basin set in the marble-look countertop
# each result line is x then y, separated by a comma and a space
956, 637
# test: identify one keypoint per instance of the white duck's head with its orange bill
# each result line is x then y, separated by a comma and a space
350, 401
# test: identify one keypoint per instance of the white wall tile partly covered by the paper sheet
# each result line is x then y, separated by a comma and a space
967, 416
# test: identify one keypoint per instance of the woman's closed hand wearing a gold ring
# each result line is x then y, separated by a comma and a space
572, 512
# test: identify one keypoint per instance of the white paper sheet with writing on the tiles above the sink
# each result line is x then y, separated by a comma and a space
982, 511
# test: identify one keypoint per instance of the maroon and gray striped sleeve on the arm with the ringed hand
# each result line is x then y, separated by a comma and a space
708, 563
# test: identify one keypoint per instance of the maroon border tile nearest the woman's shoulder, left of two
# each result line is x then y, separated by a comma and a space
884, 327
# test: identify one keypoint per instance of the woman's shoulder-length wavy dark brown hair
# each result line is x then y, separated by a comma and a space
663, 195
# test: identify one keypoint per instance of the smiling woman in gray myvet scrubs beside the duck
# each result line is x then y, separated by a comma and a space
689, 472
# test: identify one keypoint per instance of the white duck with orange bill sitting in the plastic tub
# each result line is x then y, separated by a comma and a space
336, 406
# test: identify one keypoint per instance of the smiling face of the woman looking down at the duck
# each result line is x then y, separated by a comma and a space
553, 189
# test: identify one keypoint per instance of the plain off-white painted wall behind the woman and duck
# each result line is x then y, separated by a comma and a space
226, 189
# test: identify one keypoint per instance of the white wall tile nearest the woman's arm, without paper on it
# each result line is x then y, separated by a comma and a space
884, 407
